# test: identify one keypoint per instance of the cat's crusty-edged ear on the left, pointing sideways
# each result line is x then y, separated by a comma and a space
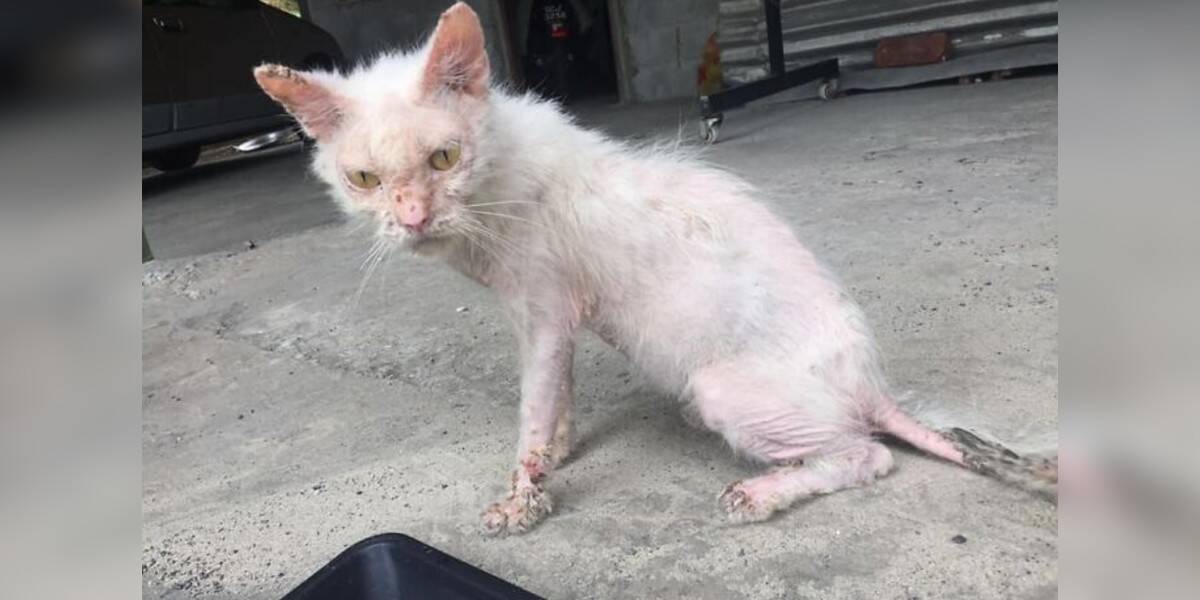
317, 109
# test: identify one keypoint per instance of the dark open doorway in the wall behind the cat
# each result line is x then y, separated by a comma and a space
563, 49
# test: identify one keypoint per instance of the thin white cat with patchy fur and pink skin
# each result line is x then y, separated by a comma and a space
669, 261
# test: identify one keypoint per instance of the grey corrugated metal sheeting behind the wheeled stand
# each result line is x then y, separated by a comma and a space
850, 29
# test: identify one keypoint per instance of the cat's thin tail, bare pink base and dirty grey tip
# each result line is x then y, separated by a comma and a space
1036, 471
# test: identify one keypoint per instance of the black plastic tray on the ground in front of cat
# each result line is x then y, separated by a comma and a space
397, 567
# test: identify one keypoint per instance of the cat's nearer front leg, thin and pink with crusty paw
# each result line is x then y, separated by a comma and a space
545, 403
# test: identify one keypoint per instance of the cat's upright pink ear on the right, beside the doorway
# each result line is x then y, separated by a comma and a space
458, 59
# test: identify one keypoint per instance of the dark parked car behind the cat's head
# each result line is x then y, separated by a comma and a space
197, 82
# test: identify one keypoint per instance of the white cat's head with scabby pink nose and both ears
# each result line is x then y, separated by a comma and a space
401, 140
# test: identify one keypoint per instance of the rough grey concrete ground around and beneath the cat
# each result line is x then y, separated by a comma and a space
287, 416
